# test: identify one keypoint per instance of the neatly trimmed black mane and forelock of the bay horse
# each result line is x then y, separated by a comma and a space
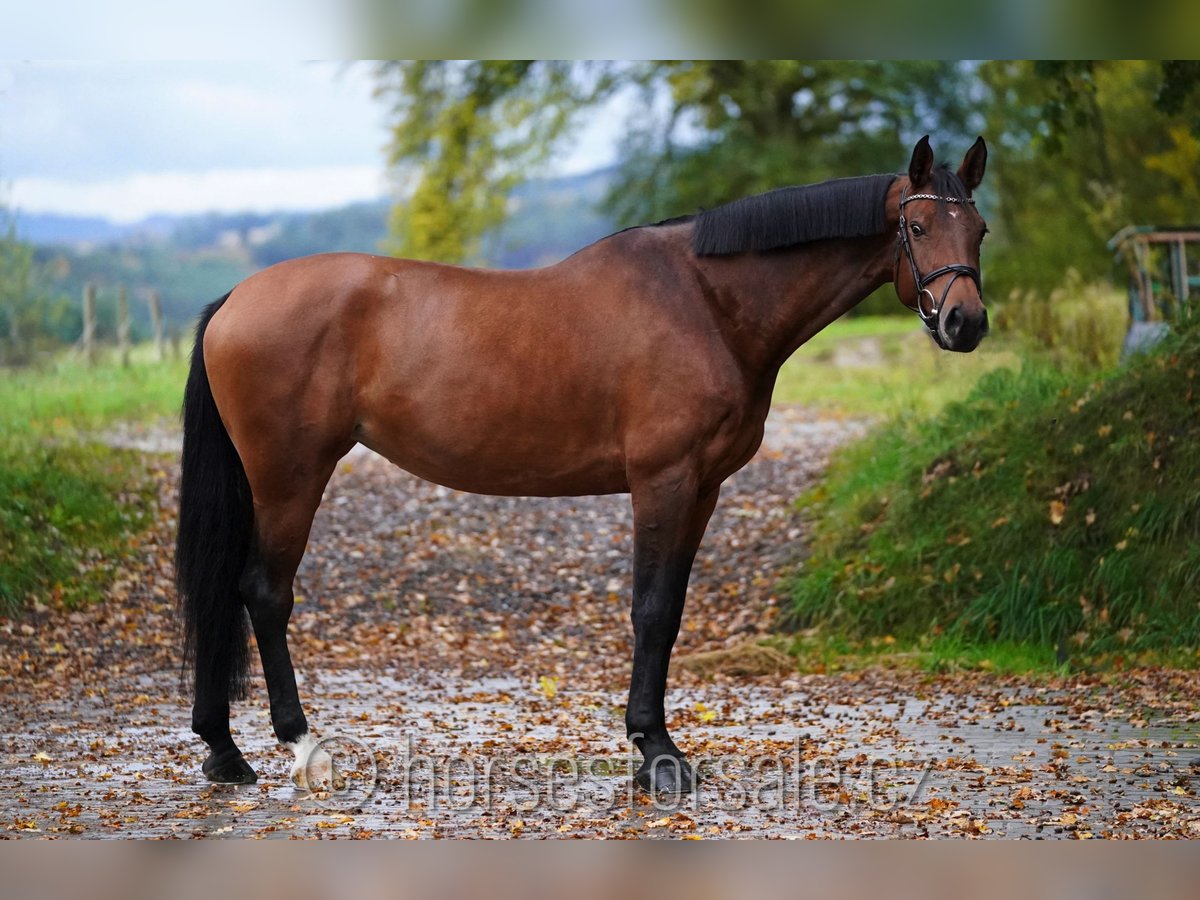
842, 208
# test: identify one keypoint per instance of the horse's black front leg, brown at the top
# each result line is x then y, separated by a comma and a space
670, 515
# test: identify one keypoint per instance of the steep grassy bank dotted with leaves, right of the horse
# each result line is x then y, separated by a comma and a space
1048, 514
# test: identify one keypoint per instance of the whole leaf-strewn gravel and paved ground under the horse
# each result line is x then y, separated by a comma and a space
467, 659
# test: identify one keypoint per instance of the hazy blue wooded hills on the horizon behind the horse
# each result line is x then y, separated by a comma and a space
193, 260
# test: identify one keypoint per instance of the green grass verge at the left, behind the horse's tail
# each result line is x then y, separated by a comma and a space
70, 505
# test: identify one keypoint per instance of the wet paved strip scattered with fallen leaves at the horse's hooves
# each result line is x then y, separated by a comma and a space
500, 758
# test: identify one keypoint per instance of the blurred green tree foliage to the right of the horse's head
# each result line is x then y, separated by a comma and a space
1083, 149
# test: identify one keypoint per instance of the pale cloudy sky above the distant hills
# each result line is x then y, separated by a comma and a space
124, 141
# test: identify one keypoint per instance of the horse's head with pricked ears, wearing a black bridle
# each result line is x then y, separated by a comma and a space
938, 248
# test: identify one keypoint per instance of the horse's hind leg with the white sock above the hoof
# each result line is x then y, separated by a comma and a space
284, 518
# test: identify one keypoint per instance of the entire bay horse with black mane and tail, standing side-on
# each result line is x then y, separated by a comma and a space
643, 364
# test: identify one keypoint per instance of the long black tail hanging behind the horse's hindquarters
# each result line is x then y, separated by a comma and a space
217, 521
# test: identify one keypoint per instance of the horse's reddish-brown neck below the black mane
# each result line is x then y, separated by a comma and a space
776, 302
